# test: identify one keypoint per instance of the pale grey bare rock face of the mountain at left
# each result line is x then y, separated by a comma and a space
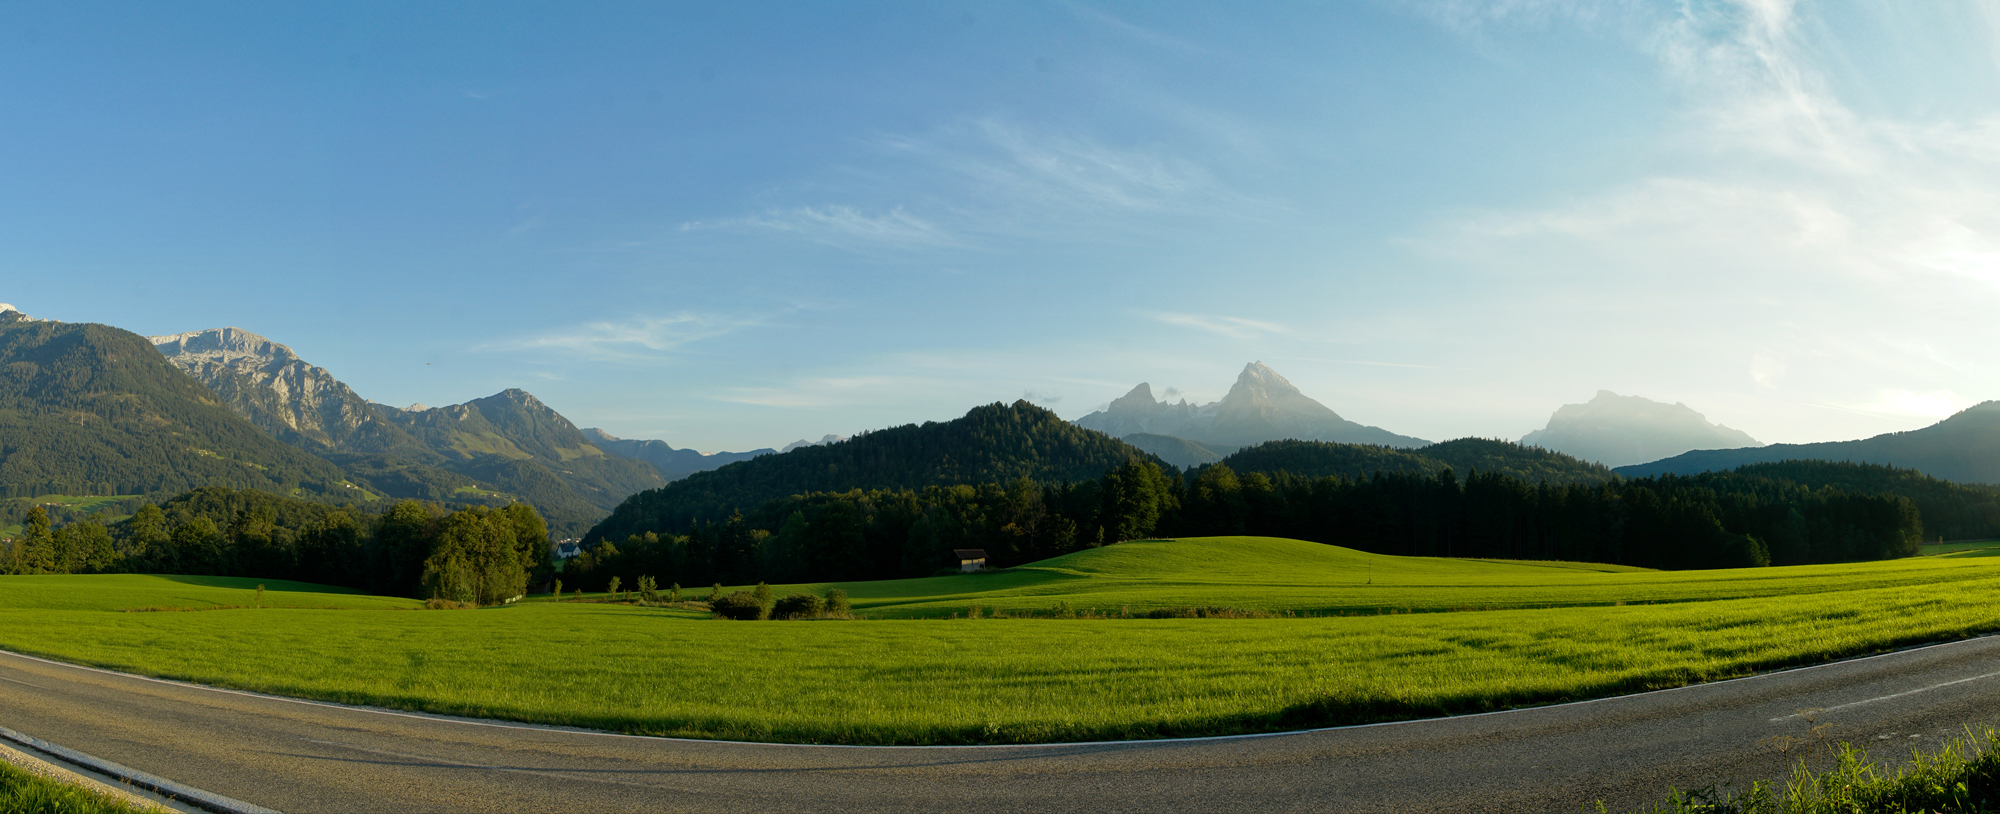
277, 391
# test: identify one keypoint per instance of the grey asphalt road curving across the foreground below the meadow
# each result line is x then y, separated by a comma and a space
303, 757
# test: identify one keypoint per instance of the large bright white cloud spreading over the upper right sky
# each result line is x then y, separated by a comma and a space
1799, 247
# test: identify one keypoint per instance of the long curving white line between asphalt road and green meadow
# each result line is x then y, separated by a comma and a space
509, 725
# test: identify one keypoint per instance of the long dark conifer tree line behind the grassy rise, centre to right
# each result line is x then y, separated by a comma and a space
1709, 521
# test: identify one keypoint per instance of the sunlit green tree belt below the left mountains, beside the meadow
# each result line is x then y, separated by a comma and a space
471, 555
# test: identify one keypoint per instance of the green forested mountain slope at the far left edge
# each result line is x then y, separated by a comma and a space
89, 409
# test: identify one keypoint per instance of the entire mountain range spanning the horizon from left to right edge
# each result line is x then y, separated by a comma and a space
89, 409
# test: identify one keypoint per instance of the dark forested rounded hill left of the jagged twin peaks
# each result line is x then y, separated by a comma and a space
991, 445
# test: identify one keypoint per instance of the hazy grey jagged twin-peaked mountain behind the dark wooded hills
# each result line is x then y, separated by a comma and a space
1261, 407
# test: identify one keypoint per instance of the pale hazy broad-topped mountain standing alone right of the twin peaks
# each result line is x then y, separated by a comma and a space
1619, 431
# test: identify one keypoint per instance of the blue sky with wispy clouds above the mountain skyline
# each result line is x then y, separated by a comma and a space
739, 225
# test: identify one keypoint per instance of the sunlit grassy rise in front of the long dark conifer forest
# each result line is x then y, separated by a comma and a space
1305, 579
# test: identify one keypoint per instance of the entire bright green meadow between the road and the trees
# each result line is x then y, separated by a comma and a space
915, 681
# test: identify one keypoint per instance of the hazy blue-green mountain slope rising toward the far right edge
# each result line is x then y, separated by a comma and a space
1965, 449
